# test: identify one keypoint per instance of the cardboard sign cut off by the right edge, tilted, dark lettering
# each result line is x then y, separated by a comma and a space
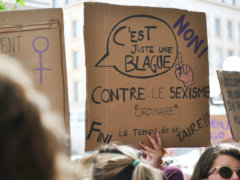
230, 88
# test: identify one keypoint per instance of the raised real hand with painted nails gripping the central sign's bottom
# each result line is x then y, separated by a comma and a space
154, 155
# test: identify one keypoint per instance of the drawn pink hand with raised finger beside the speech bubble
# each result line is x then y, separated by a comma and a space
184, 72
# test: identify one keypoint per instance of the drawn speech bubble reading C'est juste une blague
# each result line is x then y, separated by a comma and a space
140, 46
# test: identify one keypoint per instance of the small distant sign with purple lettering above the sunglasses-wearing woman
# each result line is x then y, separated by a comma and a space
220, 129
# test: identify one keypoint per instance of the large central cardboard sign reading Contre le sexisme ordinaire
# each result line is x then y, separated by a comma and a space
147, 71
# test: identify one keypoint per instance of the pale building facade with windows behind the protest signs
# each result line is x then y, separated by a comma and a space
223, 27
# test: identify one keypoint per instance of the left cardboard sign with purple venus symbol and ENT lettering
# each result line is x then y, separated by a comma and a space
35, 38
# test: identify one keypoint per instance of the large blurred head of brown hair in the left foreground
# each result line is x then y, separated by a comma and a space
30, 132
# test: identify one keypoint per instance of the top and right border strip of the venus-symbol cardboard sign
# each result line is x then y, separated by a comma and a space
36, 16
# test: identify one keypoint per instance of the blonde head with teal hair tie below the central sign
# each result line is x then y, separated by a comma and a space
119, 162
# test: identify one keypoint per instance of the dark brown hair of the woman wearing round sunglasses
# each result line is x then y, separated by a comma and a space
206, 160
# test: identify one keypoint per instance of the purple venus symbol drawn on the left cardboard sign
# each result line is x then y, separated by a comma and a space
40, 52
